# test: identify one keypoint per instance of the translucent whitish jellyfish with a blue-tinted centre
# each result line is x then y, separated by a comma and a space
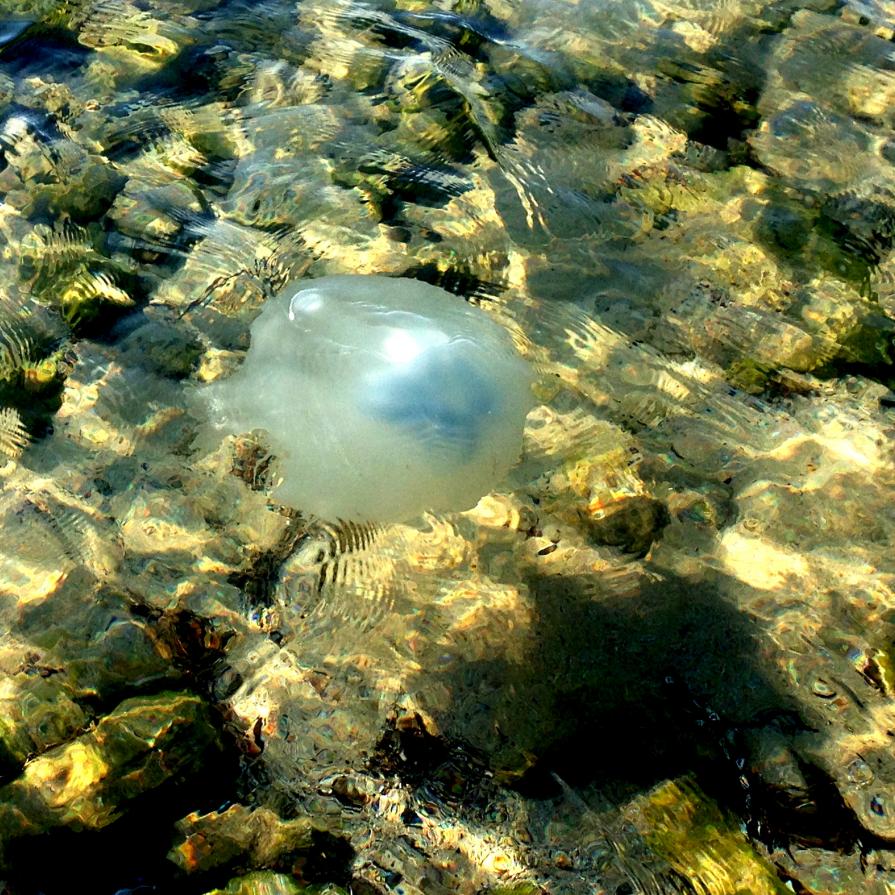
381, 397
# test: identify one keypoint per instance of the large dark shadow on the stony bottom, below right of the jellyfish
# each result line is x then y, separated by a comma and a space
621, 689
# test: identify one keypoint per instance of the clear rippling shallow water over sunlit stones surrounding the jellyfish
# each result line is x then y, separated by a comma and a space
673, 619
